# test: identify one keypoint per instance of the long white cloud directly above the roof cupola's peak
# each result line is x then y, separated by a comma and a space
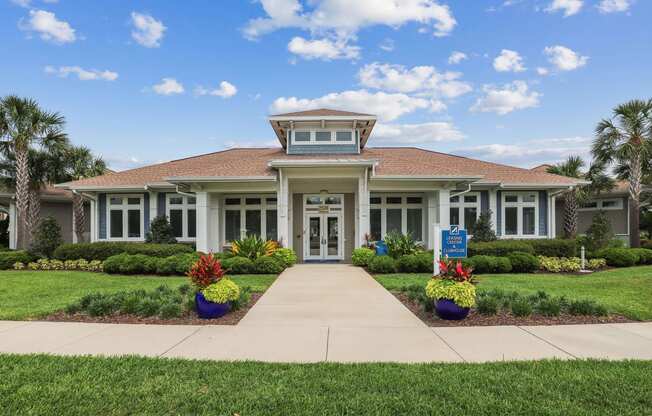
384, 105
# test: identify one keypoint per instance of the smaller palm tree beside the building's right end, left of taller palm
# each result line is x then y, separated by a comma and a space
598, 181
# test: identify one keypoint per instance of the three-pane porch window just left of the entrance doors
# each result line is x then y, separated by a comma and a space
250, 215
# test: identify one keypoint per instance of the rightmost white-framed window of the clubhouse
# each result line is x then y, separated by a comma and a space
520, 212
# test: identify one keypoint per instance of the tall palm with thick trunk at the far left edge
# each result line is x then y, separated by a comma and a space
22, 124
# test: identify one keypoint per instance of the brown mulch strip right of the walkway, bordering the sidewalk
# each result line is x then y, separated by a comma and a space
505, 318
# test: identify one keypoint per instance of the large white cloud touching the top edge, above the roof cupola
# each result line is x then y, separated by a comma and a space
345, 18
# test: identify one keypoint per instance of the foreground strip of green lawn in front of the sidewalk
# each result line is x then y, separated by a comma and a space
48, 385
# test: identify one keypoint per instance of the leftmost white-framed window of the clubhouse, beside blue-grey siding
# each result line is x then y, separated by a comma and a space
125, 217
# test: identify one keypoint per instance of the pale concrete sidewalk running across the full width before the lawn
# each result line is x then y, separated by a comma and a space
334, 344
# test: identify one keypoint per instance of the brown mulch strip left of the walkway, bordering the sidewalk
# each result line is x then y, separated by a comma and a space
191, 318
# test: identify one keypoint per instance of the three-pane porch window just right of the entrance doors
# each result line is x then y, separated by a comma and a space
396, 213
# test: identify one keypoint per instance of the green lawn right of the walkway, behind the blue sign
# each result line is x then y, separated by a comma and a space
627, 291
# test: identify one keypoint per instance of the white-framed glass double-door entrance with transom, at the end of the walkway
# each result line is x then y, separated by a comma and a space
323, 227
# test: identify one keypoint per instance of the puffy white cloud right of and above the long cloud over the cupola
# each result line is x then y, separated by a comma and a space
398, 78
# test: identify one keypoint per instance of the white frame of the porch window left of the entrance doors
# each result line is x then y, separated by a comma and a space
263, 207
